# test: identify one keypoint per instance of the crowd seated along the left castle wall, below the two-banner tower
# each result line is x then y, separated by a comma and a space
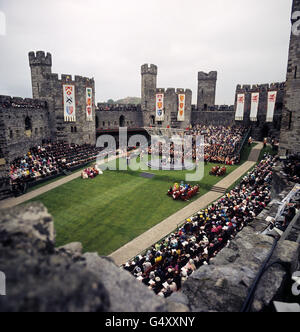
50, 159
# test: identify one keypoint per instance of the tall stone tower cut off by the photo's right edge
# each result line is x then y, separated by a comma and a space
290, 125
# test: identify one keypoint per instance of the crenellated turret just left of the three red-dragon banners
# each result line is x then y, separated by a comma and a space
206, 90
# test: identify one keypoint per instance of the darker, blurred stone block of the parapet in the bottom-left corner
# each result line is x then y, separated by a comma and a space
37, 278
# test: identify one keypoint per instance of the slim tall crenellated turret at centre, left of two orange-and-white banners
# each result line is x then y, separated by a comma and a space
149, 84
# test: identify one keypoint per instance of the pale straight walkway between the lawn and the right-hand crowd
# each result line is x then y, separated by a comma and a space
158, 232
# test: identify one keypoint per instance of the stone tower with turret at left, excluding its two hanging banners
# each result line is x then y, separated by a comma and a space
47, 86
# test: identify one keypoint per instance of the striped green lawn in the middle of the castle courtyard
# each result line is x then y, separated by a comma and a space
109, 211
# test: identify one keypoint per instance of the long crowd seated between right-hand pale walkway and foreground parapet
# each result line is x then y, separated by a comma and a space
168, 264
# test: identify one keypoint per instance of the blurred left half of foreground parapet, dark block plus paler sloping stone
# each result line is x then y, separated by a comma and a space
42, 278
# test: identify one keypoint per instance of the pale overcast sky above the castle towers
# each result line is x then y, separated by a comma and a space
245, 41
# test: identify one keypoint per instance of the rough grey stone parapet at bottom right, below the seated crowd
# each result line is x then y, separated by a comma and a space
224, 284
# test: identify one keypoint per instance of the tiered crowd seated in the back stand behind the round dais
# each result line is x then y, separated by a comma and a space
221, 143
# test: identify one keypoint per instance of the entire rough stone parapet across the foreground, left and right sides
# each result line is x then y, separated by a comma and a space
42, 278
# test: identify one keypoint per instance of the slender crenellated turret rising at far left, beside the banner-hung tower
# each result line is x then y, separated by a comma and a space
40, 65
